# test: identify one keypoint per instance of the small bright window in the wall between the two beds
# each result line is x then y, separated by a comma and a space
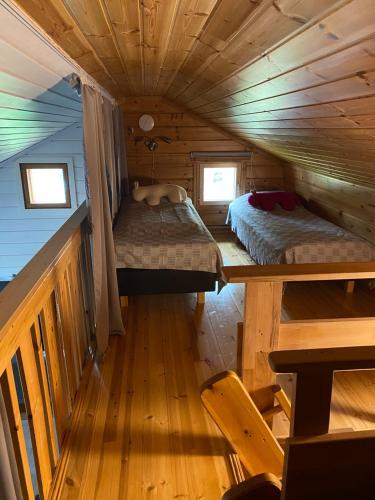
218, 182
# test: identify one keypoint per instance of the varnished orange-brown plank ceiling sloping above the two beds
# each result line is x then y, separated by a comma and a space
297, 77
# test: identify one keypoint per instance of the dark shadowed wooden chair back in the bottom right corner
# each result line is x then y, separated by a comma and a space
318, 464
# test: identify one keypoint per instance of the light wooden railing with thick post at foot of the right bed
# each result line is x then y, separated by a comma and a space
263, 331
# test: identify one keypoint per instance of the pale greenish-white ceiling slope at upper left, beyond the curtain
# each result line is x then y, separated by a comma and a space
35, 100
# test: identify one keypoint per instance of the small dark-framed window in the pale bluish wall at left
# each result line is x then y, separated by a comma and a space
45, 185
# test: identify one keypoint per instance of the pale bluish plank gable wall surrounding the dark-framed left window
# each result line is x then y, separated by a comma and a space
23, 232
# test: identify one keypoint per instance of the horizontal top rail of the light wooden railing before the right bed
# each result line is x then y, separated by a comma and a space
300, 272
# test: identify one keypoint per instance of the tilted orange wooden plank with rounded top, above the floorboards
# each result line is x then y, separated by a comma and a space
238, 418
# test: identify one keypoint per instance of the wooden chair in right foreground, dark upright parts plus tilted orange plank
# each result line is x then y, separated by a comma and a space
317, 465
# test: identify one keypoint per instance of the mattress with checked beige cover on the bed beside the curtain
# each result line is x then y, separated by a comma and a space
168, 236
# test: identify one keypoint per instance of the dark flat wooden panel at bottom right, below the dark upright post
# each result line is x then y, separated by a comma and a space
330, 466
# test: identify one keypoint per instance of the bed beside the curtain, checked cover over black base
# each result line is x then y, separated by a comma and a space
164, 249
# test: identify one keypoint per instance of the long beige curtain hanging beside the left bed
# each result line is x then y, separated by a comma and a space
102, 174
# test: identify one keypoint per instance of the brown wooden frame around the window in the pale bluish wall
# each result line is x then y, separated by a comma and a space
24, 166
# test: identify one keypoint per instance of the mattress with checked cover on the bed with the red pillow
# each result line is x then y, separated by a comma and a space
294, 237
